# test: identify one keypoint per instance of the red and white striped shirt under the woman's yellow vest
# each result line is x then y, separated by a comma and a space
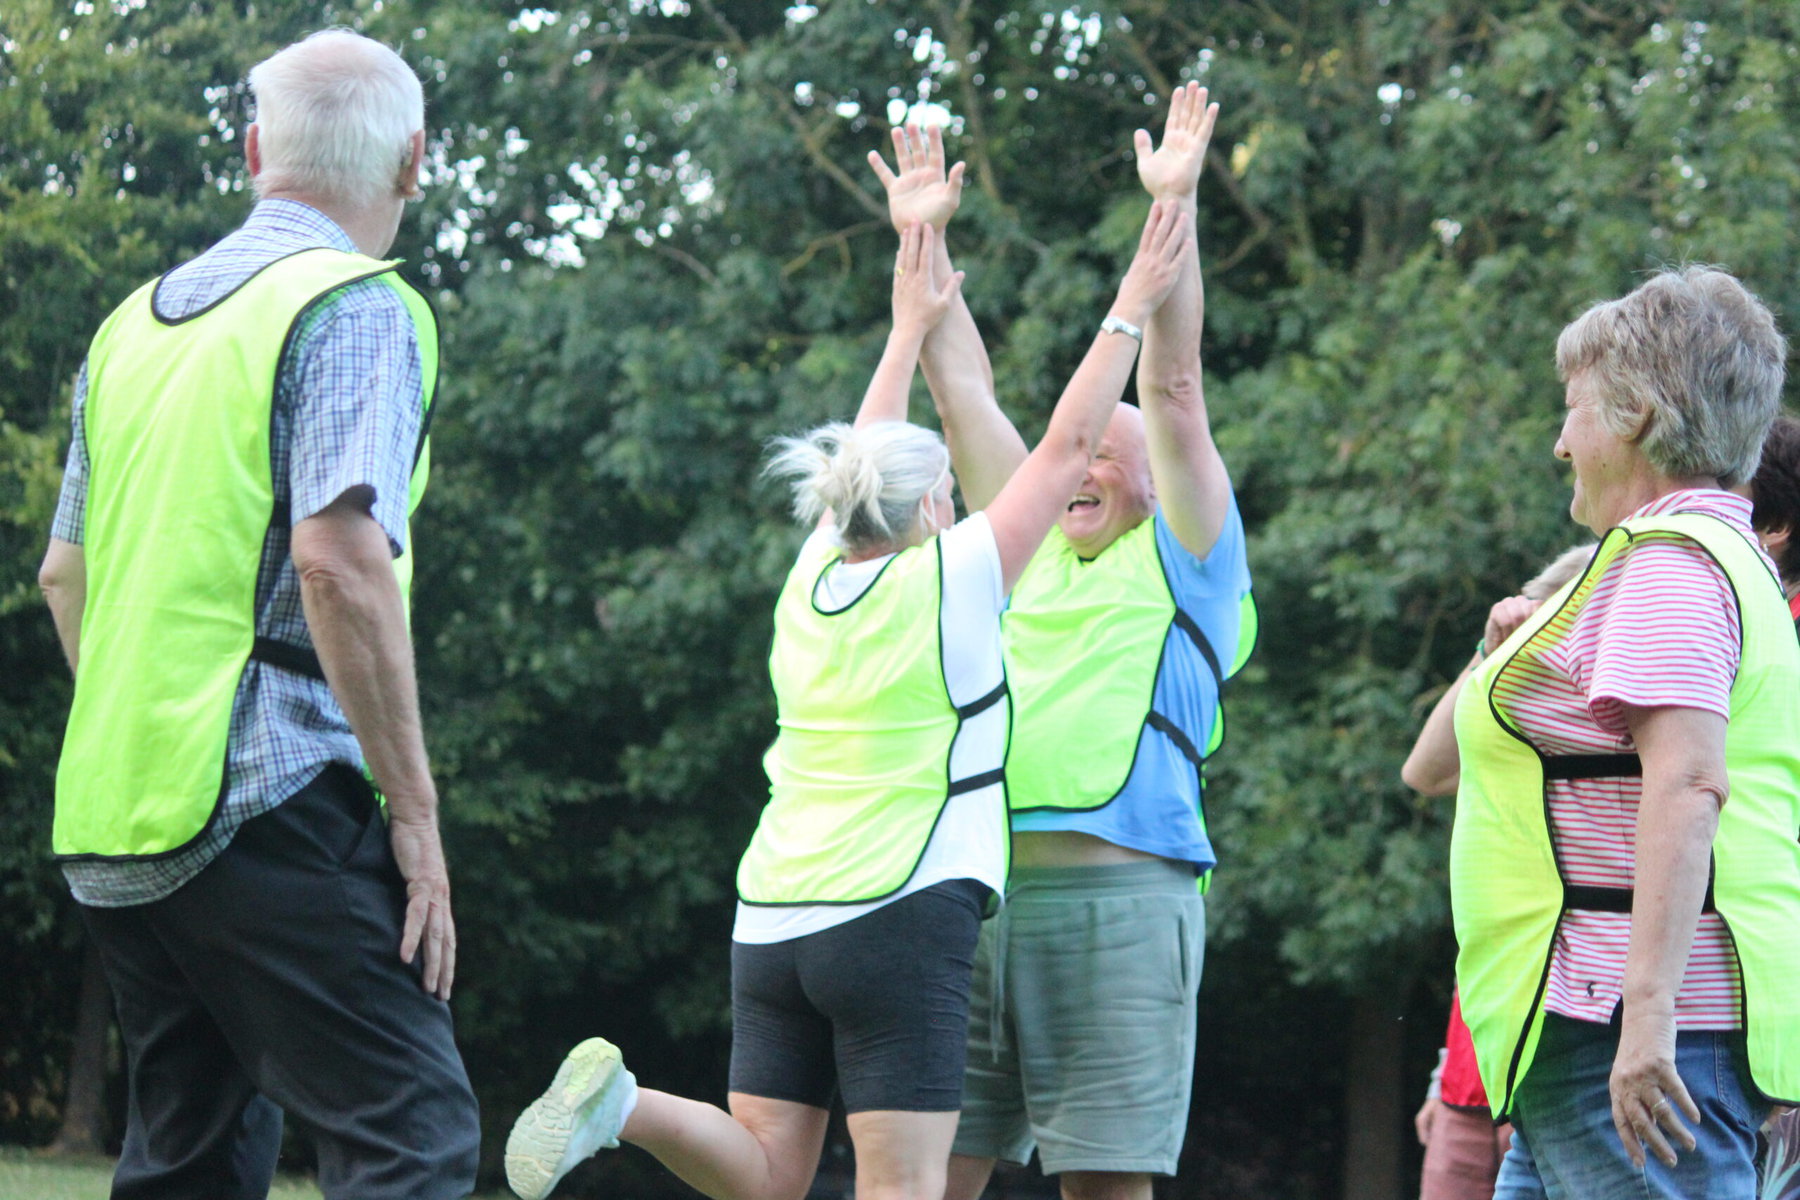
1660, 629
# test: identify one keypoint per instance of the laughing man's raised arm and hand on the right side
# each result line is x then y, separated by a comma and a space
1192, 485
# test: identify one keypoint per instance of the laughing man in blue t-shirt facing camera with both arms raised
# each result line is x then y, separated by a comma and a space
1119, 641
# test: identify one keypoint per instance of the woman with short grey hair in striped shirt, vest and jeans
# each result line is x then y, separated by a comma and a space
1630, 942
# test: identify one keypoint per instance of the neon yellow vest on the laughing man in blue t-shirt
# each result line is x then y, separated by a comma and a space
1084, 647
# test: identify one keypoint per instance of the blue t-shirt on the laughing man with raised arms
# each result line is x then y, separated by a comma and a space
1158, 810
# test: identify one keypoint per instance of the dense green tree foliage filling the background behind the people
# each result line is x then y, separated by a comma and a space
654, 246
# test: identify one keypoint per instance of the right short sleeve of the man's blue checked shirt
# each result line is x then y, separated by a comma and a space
355, 391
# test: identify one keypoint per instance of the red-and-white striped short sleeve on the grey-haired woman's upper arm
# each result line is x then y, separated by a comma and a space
1660, 631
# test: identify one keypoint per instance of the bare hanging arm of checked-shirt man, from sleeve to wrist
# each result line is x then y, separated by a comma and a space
359, 627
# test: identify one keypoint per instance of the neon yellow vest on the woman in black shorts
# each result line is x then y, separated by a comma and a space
859, 773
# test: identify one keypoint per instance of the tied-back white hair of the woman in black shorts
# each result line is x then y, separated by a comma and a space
874, 479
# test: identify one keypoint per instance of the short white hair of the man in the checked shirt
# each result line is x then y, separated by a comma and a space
337, 114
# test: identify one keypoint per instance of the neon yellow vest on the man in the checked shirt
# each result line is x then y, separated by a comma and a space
181, 501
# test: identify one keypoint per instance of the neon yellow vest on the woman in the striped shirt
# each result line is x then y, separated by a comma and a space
1506, 888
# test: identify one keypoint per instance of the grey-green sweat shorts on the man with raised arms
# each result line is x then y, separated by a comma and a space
1081, 1026
